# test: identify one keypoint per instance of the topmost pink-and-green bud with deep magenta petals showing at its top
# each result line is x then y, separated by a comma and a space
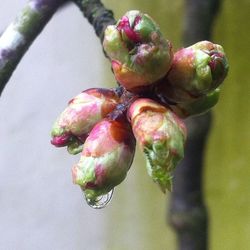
139, 53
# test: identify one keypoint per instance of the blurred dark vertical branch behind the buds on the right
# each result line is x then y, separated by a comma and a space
188, 213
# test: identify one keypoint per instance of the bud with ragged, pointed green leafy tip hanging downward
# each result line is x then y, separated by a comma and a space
161, 136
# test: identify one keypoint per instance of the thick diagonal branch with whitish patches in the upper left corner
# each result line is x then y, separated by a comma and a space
20, 34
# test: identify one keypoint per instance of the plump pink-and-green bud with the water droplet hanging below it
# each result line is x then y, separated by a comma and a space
106, 158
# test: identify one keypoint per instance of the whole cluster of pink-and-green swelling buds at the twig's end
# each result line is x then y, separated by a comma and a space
157, 89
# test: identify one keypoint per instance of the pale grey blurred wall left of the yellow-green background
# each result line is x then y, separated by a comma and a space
40, 208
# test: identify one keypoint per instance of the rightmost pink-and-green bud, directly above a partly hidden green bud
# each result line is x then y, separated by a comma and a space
196, 71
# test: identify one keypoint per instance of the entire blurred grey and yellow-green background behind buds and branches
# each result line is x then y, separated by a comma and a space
40, 208
